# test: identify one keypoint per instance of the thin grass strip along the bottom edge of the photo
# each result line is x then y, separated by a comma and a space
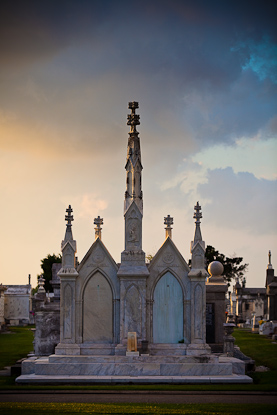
188, 409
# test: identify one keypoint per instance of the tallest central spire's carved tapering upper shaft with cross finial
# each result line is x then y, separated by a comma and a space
133, 164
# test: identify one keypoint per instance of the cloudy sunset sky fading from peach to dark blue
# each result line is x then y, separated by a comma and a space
205, 75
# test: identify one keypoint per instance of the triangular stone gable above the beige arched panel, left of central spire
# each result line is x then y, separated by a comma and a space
97, 256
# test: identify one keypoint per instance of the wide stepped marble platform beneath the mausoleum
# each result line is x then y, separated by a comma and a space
136, 369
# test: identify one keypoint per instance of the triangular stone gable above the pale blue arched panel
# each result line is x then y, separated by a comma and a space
168, 256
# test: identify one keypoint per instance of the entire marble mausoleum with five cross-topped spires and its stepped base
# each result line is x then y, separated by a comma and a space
134, 321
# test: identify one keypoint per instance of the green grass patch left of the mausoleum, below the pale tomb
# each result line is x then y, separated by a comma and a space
15, 344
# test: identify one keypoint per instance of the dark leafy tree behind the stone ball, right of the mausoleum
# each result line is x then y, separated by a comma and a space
233, 267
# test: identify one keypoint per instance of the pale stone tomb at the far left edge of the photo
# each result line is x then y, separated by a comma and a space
17, 304
